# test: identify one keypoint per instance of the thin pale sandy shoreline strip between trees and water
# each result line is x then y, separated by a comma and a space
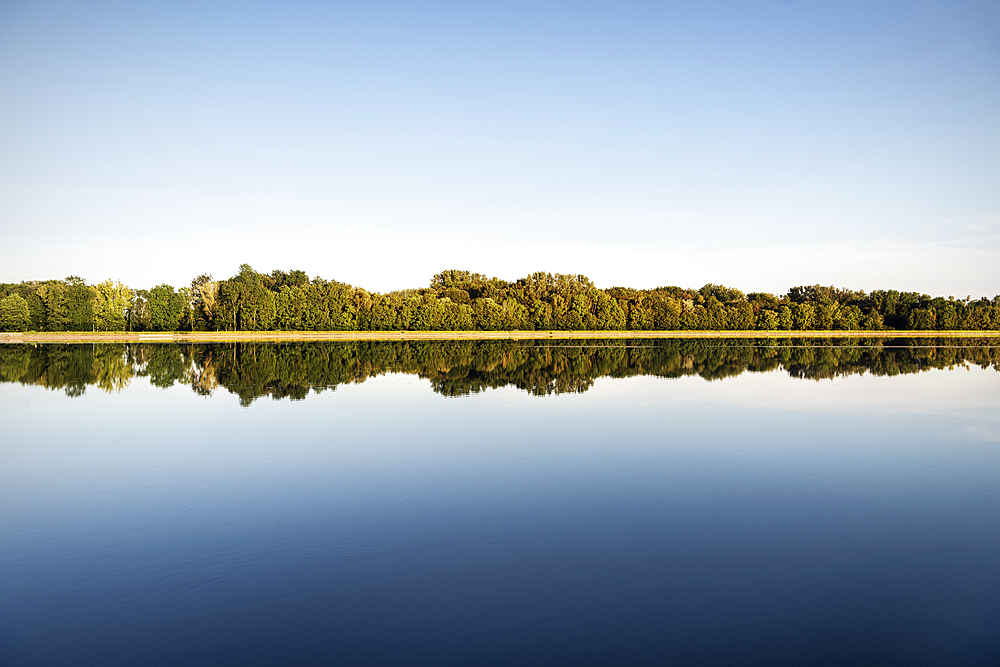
313, 336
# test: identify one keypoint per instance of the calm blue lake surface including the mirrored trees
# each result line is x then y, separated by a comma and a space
671, 502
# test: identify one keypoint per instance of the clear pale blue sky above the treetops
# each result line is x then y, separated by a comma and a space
759, 144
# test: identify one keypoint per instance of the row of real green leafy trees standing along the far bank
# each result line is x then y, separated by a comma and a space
465, 301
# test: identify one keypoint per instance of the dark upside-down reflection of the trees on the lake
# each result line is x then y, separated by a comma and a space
291, 370
